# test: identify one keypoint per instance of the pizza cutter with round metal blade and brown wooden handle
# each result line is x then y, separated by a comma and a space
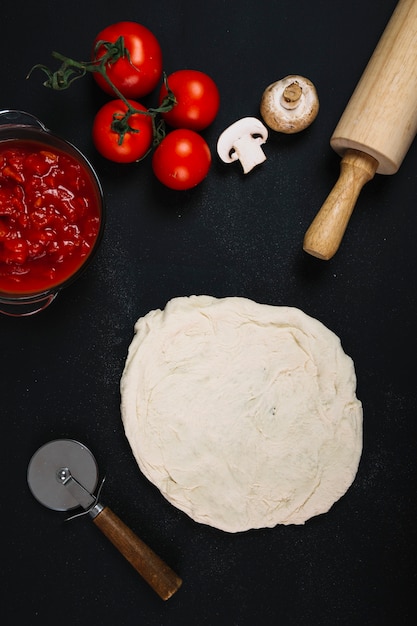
63, 475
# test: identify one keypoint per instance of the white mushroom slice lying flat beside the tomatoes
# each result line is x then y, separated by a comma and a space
242, 142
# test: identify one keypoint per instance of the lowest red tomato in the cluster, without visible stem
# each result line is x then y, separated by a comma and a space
182, 159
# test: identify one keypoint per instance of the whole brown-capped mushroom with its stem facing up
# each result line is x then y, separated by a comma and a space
289, 105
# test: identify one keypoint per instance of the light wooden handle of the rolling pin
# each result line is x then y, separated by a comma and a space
325, 233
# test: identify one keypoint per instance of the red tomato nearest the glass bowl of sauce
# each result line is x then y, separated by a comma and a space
107, 141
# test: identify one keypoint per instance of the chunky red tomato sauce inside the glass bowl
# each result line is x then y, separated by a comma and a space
49, 216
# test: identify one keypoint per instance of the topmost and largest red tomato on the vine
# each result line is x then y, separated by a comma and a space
137, 75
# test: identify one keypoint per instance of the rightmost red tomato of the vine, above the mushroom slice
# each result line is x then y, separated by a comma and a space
197, 96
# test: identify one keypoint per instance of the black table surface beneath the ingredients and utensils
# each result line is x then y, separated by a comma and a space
233, 235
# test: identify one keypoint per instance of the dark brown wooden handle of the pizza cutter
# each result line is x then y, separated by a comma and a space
156, 573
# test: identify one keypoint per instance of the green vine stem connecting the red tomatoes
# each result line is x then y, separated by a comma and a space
71, 70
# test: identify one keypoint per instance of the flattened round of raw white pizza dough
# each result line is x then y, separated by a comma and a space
244, 415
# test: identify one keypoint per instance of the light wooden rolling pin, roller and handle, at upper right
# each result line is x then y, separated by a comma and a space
376, 129
